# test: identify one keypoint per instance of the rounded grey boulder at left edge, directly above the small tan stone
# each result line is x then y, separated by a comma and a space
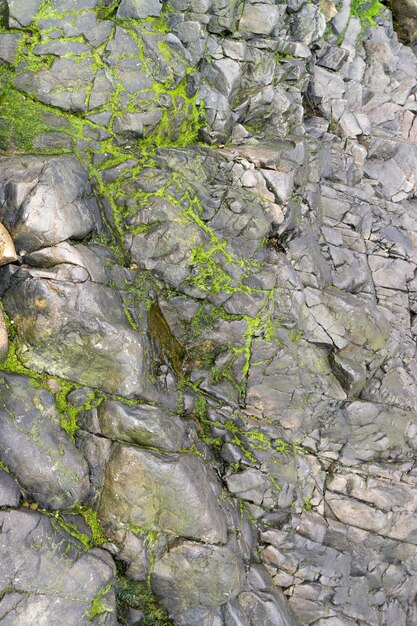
43, 201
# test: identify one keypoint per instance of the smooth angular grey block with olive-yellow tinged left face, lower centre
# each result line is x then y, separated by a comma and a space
173, 493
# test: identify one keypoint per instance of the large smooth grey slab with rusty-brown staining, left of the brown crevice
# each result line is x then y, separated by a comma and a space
80, 332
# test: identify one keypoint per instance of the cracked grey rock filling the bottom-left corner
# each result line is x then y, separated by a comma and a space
47, 580
